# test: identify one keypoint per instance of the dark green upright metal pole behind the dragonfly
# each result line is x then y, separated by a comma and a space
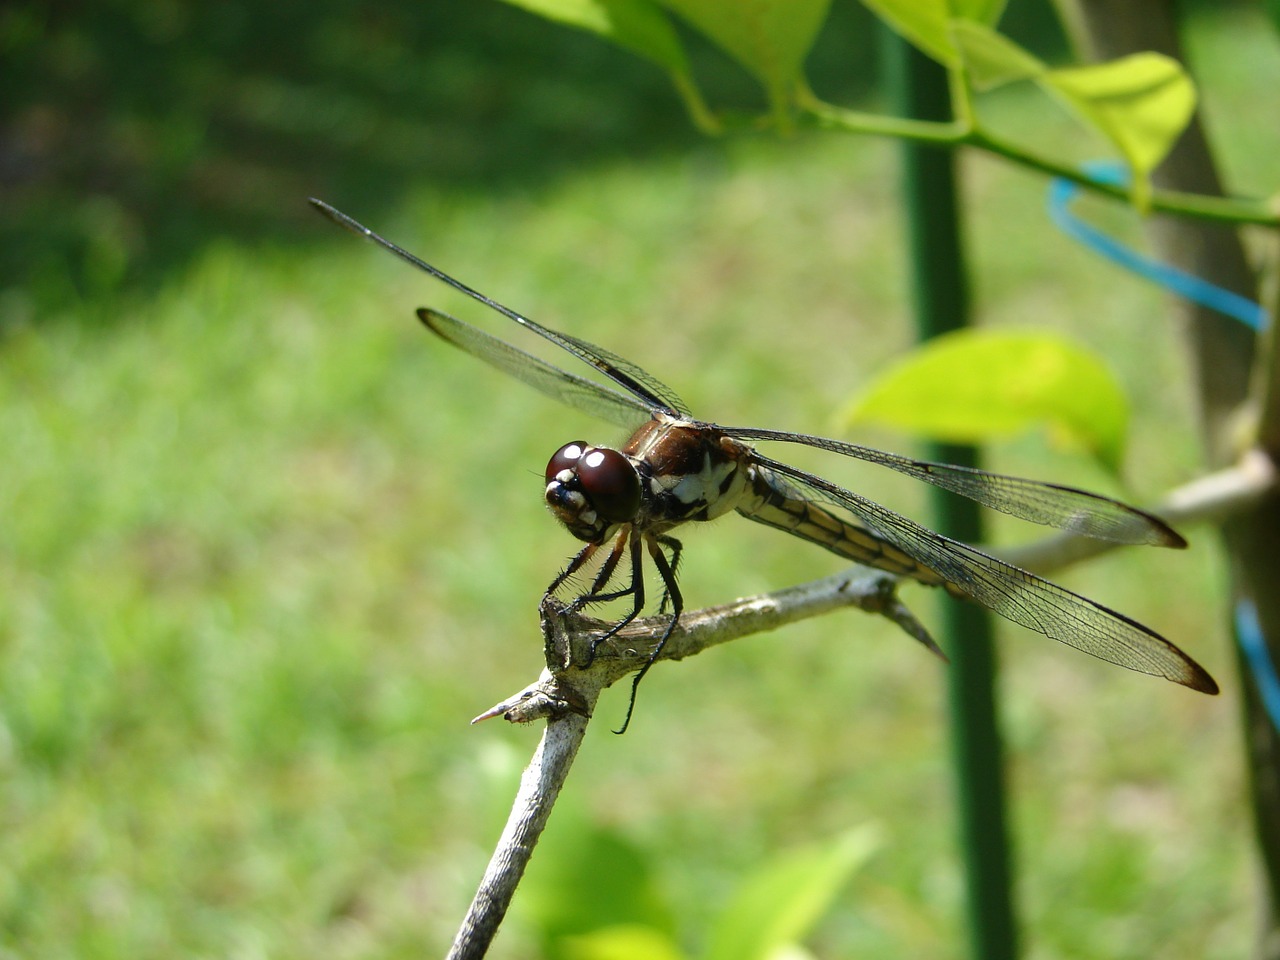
941, 304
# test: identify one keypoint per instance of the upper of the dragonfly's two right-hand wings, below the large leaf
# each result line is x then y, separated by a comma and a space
1066, 508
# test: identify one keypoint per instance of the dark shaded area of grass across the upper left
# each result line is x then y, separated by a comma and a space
132, 135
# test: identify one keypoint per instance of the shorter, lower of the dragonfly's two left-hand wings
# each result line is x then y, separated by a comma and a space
574, 391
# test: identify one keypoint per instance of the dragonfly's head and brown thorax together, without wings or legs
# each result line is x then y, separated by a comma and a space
669, 473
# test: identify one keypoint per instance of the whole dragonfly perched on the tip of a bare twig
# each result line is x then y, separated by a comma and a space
625, 502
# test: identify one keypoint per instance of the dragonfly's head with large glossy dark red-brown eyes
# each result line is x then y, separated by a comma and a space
592, 490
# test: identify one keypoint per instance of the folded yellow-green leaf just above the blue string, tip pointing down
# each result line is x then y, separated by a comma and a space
1141, 103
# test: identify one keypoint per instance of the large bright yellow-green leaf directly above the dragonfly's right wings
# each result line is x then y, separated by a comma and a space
980, 386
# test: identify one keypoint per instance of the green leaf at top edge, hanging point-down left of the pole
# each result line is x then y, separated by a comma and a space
770, 38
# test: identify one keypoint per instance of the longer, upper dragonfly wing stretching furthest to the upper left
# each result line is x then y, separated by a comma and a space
639, 383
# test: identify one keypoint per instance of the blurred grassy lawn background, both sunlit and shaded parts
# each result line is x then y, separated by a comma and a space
267, 547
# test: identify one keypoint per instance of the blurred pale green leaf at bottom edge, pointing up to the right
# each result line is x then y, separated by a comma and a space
780, 903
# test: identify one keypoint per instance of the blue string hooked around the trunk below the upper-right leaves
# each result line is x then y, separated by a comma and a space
1185, 285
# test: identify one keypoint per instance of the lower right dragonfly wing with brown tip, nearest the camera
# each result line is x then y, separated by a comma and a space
1013, 593
